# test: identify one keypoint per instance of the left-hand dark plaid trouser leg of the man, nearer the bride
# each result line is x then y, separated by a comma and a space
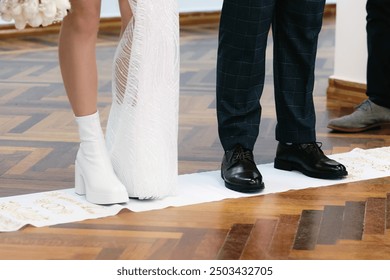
244, 28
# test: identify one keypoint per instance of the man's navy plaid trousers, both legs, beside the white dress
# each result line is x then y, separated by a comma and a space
244, 29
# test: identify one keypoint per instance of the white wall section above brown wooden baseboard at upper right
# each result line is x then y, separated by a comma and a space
351, 47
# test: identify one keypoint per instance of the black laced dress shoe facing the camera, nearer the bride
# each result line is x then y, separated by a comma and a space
239, 171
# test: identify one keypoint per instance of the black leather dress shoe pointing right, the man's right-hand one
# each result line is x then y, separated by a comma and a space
308, 159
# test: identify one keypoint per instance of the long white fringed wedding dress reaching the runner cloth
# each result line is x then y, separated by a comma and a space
142, 128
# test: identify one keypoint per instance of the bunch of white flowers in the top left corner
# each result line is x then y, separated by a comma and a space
33, 12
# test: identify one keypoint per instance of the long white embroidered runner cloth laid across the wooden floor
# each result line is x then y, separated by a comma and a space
63, 206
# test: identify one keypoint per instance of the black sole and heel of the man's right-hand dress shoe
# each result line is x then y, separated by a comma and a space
289, 166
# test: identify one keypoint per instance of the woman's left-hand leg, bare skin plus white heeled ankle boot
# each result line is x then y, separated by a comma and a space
94, 174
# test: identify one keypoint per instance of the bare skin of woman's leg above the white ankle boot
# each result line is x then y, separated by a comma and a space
77, 55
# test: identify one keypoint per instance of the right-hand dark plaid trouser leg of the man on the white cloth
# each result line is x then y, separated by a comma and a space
296, 27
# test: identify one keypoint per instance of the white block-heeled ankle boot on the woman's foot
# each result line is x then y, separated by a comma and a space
95, 176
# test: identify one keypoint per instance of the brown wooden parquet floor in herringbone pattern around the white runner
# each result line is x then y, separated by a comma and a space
38, 144
